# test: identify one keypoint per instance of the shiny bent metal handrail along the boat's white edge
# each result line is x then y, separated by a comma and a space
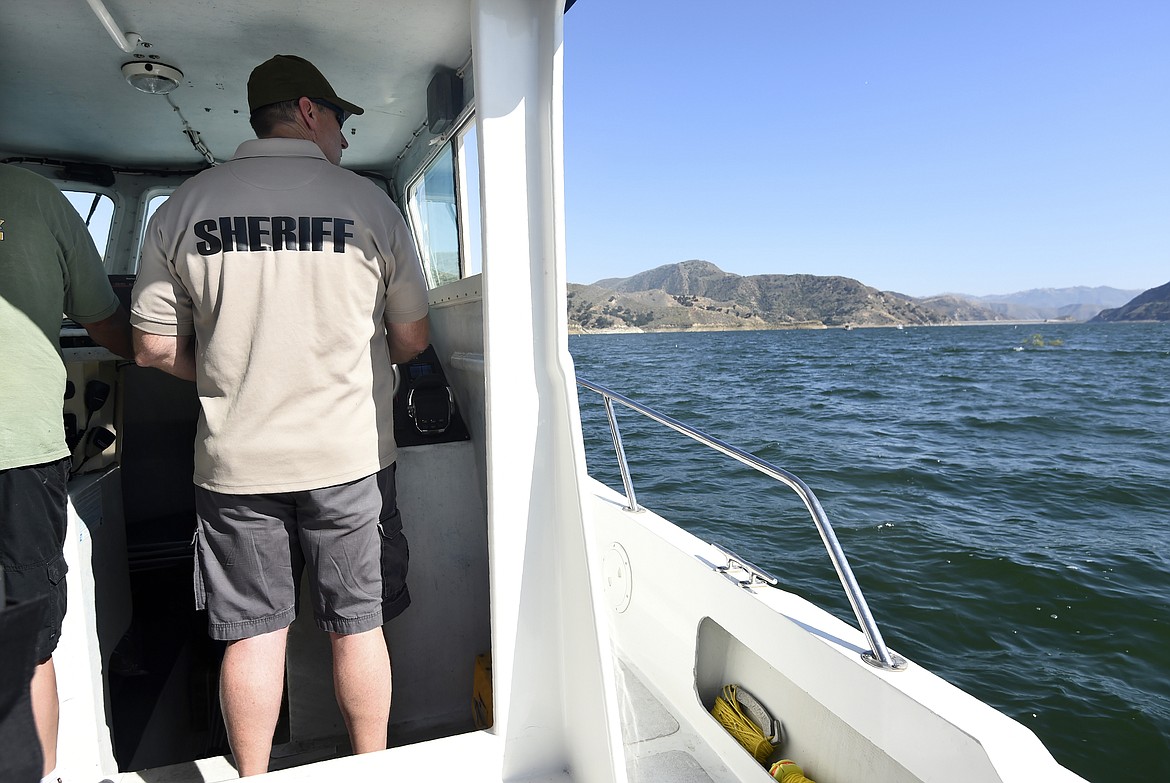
879, 655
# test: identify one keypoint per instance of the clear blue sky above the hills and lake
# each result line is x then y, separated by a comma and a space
981, 148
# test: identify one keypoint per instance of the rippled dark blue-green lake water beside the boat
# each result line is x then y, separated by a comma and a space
1006, 505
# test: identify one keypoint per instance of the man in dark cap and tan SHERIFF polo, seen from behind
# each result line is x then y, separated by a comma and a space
285, 287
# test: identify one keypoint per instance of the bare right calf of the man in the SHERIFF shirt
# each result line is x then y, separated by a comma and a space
362, 683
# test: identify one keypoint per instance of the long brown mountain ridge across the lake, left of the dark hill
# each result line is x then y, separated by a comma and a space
697, 296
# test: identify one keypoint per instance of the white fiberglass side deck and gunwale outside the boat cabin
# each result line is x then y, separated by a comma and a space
682, 631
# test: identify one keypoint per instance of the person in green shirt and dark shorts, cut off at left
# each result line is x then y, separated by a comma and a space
49, 267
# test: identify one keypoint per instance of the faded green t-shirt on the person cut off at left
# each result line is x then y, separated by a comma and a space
49, 267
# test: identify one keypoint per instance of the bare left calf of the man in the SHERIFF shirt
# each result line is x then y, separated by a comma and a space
252, 683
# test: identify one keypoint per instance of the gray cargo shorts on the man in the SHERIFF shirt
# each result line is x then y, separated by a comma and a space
252, 550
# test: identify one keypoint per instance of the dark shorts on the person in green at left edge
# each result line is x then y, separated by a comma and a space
33, 518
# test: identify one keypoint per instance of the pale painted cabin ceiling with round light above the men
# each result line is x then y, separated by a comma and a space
65, 95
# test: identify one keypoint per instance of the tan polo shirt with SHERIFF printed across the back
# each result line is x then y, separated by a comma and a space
287, 270
